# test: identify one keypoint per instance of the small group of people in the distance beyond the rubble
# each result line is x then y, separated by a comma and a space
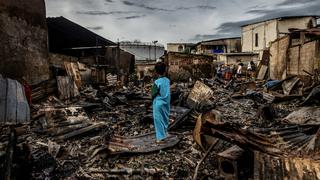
228, 72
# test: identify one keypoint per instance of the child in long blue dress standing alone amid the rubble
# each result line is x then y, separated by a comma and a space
161, 102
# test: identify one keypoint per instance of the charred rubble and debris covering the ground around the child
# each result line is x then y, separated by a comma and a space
218, 130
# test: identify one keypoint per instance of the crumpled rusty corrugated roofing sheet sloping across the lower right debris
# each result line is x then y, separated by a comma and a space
297, 140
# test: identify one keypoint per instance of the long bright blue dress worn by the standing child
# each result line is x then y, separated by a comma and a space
161, 107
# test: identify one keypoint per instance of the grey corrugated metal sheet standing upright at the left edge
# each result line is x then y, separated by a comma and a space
14, 108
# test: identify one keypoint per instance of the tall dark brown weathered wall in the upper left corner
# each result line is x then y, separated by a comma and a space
23, 34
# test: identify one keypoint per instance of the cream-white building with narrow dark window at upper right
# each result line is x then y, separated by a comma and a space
257, 36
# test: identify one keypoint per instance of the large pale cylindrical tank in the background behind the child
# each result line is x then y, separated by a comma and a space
144, 52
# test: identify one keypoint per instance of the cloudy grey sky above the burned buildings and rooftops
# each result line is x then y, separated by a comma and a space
174, 20
